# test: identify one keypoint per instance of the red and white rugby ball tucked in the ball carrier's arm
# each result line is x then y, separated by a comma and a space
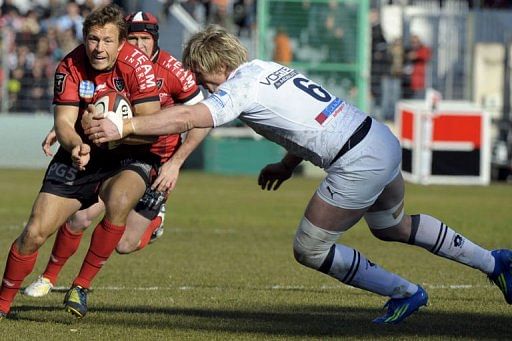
116, 106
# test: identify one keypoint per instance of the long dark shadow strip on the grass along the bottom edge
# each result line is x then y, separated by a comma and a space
293, 321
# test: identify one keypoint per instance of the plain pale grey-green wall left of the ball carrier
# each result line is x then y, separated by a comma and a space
20, 140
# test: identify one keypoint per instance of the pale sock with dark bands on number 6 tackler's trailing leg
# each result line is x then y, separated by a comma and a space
434, 236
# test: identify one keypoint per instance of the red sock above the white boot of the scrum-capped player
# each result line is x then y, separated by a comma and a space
66, 244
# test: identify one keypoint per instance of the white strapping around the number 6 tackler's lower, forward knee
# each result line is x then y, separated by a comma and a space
312, 244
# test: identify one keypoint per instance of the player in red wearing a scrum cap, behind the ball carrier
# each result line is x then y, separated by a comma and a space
175, 85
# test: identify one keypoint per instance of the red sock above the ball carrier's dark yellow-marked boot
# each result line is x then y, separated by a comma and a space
103, 242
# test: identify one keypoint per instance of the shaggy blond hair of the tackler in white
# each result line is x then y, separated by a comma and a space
211, 49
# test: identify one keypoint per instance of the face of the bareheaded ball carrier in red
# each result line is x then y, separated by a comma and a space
102, 46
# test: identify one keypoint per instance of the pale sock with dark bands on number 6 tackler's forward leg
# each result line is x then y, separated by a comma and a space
351, 267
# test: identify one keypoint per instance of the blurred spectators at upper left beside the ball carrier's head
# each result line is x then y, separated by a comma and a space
38, 35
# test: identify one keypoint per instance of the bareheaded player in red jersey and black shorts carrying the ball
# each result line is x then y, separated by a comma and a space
81, 171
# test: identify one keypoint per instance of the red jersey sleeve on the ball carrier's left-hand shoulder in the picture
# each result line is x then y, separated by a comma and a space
65, 86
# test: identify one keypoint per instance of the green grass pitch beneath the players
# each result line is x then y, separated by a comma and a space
224, 269
